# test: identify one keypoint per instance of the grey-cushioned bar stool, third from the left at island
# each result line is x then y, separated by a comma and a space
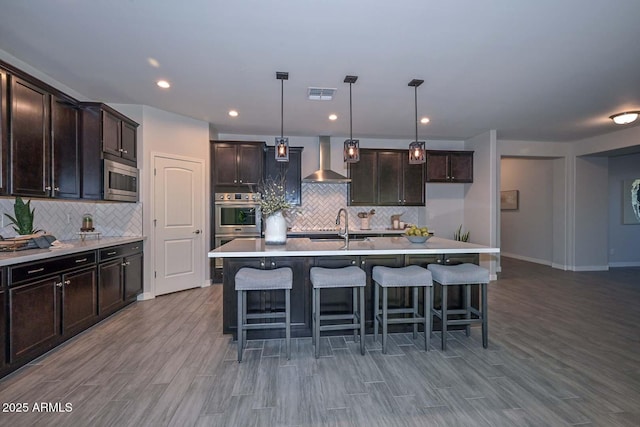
413, 277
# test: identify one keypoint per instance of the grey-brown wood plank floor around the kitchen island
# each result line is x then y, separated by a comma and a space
564, 350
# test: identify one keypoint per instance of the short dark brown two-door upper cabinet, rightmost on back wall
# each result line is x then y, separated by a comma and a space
449, 166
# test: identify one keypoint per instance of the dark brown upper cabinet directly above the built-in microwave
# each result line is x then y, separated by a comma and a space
105, 129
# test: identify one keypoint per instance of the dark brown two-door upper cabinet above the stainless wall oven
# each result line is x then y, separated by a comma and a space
237, 163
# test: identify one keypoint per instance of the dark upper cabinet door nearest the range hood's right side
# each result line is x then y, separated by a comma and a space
363, 188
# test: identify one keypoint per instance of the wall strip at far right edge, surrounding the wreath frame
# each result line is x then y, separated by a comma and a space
624, 239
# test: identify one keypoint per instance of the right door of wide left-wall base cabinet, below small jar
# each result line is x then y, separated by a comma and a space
79, 300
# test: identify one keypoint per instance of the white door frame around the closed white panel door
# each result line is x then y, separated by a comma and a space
203, 242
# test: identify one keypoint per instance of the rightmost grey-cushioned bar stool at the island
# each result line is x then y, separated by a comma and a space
466, 275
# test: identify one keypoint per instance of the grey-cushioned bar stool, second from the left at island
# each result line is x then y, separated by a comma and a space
345, 277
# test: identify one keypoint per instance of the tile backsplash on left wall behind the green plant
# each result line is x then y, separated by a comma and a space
64, 218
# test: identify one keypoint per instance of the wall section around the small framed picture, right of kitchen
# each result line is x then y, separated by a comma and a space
527, 233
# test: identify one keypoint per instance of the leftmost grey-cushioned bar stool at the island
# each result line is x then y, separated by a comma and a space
252, 279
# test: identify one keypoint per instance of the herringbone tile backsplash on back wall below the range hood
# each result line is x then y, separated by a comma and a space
321, 202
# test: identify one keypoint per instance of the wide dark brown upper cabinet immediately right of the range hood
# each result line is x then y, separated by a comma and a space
385, 178
